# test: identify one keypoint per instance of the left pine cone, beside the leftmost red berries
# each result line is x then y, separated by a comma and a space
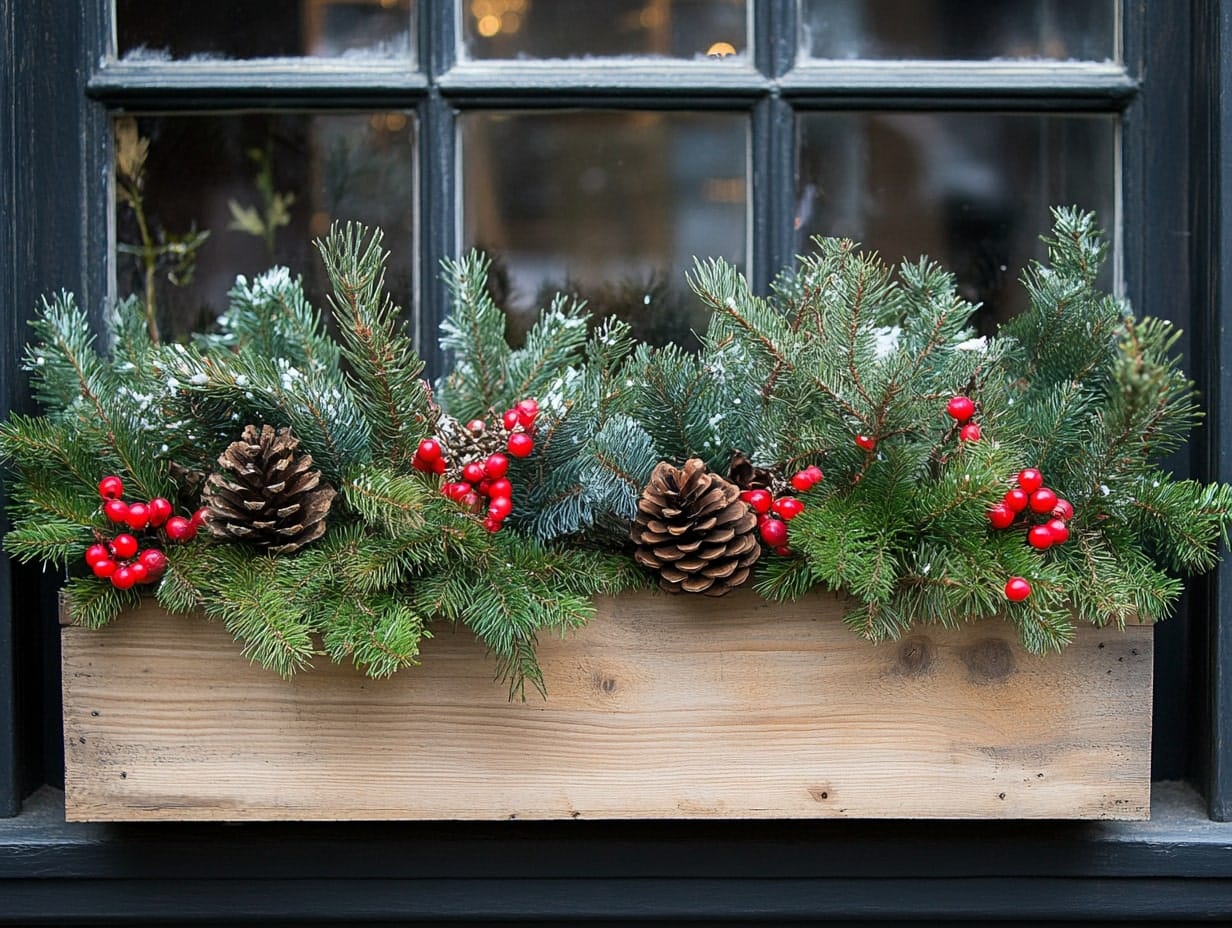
267, 495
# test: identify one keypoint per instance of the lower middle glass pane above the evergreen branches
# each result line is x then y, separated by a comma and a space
608, 205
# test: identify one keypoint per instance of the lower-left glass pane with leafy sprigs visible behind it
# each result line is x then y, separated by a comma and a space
262, 187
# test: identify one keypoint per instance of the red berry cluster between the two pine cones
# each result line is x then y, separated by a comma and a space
485, 480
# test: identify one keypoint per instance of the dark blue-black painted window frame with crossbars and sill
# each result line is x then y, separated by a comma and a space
59, 92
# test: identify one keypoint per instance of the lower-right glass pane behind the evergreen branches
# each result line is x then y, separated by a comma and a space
970, 190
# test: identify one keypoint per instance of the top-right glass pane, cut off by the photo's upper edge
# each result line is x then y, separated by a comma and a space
973, 30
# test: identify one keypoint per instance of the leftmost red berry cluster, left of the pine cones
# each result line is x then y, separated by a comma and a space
123, 560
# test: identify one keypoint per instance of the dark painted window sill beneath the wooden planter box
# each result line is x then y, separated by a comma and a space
1177, 866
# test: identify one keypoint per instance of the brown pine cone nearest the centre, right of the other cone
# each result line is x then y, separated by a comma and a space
694, 531
